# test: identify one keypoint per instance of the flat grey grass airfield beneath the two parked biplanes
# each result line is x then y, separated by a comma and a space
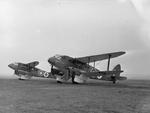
47, 96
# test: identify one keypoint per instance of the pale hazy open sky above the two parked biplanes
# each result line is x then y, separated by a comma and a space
38, 29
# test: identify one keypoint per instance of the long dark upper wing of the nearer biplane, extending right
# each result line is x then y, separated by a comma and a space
94, 58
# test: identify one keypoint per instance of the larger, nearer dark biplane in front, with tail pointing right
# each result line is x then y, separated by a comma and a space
79, 69
